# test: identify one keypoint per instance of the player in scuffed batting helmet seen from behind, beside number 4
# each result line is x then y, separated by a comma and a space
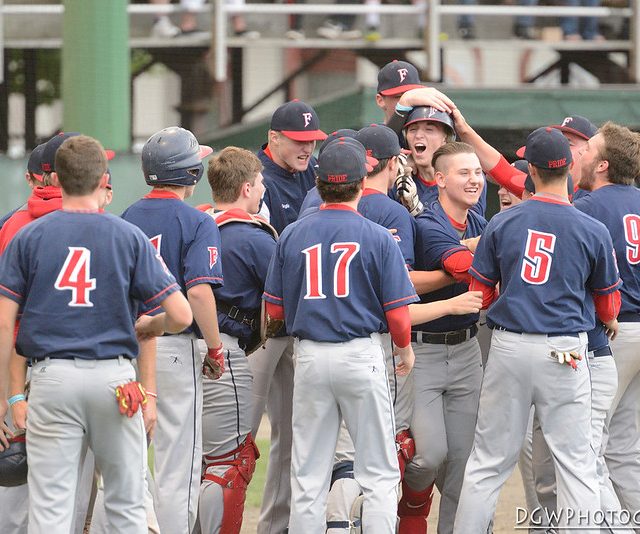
189, 243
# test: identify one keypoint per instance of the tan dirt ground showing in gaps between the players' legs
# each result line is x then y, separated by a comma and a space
511, 496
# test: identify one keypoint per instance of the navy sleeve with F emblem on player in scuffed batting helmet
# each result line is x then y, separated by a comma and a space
202, 260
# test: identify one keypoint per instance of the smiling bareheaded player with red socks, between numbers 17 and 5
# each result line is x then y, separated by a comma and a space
448, 368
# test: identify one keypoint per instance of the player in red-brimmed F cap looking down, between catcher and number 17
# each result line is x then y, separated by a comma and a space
288, 175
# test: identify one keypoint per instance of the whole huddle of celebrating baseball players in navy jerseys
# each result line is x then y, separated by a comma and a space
397, 341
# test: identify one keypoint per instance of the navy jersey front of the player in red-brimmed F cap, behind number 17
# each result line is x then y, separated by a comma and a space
285, 191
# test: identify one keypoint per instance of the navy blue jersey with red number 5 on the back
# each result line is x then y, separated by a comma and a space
549, 259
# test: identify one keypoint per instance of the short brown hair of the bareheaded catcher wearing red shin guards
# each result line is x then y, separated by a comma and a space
228, 170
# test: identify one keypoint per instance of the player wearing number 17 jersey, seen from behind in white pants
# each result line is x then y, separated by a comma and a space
339, 358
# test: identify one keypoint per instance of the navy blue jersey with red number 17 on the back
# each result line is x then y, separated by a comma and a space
336, 273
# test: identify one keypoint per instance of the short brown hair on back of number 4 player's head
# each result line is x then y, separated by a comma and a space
80, 164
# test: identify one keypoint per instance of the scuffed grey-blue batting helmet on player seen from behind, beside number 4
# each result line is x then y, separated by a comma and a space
173, 157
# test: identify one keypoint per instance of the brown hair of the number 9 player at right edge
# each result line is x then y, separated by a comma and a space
621, 148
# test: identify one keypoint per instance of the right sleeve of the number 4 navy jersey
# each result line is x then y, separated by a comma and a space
151, 282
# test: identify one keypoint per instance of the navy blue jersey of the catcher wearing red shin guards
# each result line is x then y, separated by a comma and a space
247, 250
